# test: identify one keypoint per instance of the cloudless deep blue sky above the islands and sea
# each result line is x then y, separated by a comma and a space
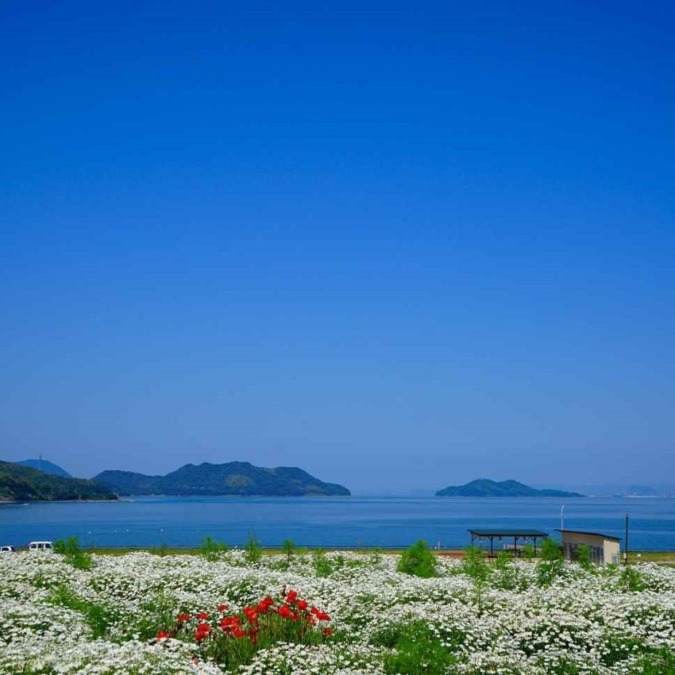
401, 245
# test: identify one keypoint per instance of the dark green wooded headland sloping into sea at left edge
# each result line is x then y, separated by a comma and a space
23, 483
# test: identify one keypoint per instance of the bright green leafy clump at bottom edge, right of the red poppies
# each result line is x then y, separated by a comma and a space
415, 649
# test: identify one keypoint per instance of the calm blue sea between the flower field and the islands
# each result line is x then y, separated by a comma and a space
330, 522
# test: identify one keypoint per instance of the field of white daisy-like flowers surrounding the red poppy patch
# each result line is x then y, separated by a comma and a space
516, 617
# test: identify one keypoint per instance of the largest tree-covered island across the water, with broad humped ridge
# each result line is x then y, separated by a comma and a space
232, 478
